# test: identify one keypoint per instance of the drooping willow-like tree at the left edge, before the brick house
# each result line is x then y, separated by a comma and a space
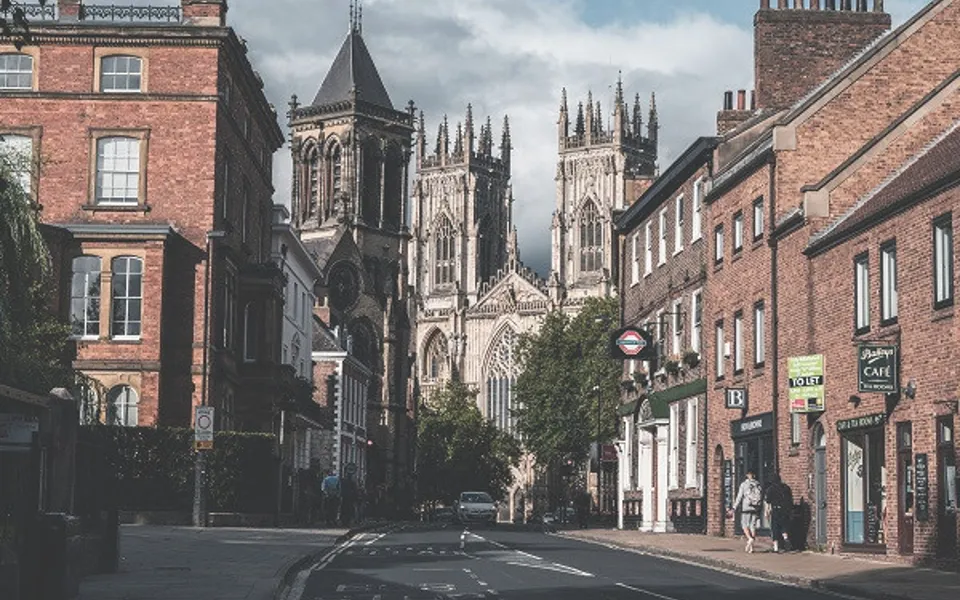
33, 342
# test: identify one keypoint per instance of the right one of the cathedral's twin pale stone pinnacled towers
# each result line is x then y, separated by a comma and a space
605, 163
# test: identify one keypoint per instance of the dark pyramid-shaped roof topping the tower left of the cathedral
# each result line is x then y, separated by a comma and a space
353, 67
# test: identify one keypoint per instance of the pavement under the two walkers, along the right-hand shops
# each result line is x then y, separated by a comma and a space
848, 575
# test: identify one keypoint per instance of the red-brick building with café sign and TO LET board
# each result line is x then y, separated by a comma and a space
819, 193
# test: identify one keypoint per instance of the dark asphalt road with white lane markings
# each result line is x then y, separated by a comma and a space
417, 562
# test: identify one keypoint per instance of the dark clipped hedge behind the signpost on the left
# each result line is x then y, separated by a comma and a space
153, 469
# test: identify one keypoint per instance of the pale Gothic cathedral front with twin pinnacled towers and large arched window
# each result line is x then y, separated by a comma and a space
472, 294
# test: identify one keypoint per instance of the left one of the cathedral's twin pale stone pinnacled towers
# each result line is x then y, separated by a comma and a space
461, 215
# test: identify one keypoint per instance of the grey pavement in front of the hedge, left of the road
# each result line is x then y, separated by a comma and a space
186, 563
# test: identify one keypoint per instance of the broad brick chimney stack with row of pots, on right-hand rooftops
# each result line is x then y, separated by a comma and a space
796, 50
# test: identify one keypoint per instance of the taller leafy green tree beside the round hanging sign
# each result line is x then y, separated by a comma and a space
562, 364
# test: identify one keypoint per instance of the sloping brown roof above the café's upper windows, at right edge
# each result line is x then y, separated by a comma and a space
935, 168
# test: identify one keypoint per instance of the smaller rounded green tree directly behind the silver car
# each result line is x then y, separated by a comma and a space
459, 450
